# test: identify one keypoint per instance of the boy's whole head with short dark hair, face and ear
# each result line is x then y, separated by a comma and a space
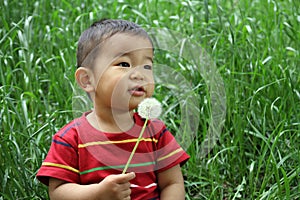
115, 59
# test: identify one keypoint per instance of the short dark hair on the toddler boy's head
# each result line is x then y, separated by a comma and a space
88, 44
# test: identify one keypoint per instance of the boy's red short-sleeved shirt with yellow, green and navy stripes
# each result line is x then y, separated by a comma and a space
81, 154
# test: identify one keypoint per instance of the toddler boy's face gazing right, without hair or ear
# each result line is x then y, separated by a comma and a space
123, 72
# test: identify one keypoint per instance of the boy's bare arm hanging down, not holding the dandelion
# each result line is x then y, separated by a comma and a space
171, 184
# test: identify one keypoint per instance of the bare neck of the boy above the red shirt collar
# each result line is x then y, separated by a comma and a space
111, 121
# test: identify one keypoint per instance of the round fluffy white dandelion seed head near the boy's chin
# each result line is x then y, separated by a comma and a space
149, 108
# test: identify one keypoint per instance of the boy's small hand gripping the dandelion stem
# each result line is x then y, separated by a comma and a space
117, 187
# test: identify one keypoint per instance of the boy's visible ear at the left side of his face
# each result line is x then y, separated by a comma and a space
85, 79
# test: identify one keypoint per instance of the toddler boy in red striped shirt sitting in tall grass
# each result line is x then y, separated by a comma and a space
87, 156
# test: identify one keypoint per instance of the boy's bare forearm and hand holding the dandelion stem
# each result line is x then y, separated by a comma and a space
113, 187
